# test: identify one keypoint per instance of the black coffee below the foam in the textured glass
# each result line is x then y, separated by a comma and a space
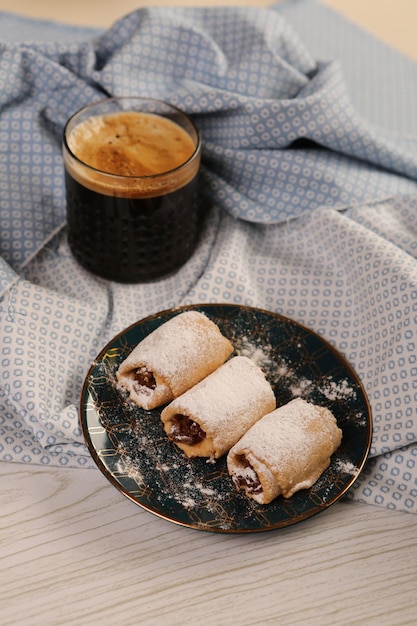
131, 239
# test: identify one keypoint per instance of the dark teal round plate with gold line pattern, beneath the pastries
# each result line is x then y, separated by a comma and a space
130, 447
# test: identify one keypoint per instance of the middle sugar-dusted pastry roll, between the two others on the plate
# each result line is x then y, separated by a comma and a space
209, 418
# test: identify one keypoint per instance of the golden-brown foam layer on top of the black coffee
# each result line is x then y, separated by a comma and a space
131, 154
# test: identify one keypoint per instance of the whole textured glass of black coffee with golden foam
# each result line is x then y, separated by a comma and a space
131, 175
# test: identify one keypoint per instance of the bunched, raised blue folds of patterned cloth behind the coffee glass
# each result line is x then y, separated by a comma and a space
249, 82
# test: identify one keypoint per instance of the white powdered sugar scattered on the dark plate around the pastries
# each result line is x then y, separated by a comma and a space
202, 489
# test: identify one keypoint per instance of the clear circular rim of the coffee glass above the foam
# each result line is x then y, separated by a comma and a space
110, 175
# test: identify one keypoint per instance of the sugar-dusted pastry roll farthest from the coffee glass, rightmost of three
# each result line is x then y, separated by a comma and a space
287, 450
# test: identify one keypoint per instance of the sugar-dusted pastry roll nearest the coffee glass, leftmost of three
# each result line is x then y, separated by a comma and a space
173, 358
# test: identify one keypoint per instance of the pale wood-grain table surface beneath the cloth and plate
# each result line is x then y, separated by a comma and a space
73, 550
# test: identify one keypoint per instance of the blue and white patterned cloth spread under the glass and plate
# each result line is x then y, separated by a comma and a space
310, 168
